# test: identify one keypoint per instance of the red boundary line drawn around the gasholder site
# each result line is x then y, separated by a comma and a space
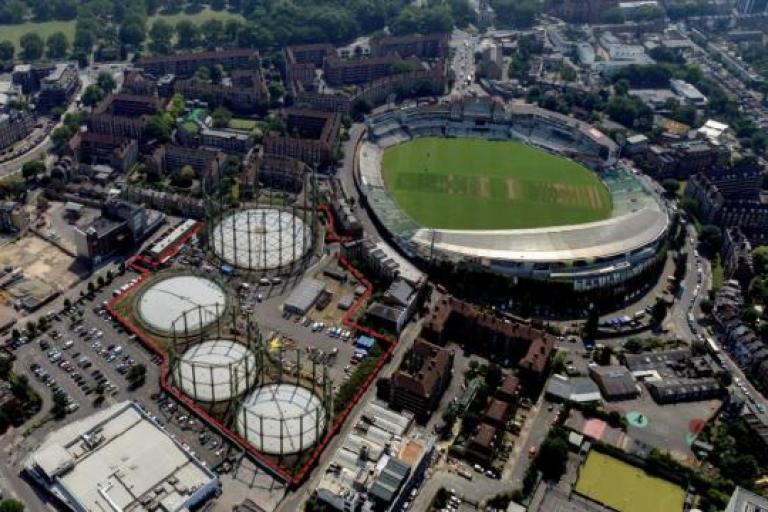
140, 263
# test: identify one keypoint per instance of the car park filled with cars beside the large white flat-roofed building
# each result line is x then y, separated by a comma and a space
86, 352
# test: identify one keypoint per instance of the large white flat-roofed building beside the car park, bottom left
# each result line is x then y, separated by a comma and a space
109, 461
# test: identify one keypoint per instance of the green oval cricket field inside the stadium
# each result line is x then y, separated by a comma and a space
480, 184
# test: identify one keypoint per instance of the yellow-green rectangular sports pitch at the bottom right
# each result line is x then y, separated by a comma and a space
626, 488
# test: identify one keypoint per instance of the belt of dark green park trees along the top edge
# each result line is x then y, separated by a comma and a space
266, 24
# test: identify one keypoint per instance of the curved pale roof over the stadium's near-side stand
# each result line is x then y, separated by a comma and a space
605, 238
